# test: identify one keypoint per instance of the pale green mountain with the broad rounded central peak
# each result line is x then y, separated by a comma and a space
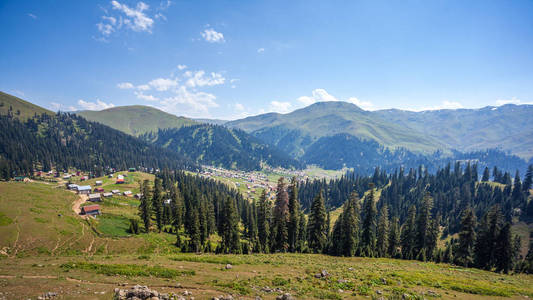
296, 131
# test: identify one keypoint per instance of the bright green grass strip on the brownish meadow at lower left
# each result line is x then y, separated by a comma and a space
127, 270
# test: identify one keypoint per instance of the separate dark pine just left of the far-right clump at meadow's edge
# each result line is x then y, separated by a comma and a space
464, 254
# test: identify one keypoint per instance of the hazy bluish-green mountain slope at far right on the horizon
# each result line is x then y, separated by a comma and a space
508, 127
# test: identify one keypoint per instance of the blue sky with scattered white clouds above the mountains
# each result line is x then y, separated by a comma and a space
230, 59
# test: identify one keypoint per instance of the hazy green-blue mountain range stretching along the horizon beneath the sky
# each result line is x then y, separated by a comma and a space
328, 134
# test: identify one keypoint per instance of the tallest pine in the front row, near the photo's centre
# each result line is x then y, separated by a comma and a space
281, 218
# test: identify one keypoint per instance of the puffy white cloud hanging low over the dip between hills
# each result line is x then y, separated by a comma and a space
195, 104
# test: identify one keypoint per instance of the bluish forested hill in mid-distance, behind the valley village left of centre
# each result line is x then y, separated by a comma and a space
219, 146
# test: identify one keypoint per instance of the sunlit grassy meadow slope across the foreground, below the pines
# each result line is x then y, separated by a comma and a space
45, 247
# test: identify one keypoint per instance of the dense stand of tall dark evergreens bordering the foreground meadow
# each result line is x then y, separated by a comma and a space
368, 227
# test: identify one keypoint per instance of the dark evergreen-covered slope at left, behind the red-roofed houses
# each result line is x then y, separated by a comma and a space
67, 141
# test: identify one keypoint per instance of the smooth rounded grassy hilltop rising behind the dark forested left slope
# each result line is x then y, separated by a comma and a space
136, 119
